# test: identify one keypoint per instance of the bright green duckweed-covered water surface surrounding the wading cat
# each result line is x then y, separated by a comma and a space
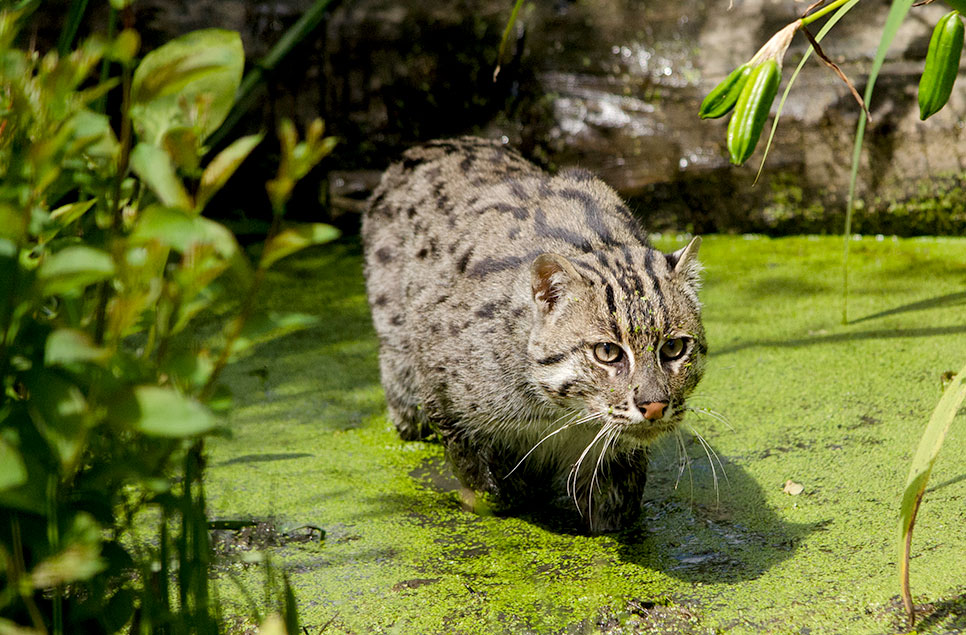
836, 408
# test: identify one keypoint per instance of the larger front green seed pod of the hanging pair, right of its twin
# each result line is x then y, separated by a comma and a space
752, 109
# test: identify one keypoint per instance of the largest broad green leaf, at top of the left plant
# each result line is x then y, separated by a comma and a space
189, 81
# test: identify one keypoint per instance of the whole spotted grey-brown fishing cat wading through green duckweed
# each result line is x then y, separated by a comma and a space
526, 320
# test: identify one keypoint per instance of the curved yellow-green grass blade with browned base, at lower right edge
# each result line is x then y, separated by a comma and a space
929, 445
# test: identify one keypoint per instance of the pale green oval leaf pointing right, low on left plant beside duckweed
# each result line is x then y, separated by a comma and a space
161, 412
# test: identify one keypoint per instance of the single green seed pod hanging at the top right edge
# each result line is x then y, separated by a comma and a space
942, 65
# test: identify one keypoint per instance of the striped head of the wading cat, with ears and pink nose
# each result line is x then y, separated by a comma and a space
618, 335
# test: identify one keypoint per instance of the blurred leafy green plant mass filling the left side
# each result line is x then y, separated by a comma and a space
105, 265
